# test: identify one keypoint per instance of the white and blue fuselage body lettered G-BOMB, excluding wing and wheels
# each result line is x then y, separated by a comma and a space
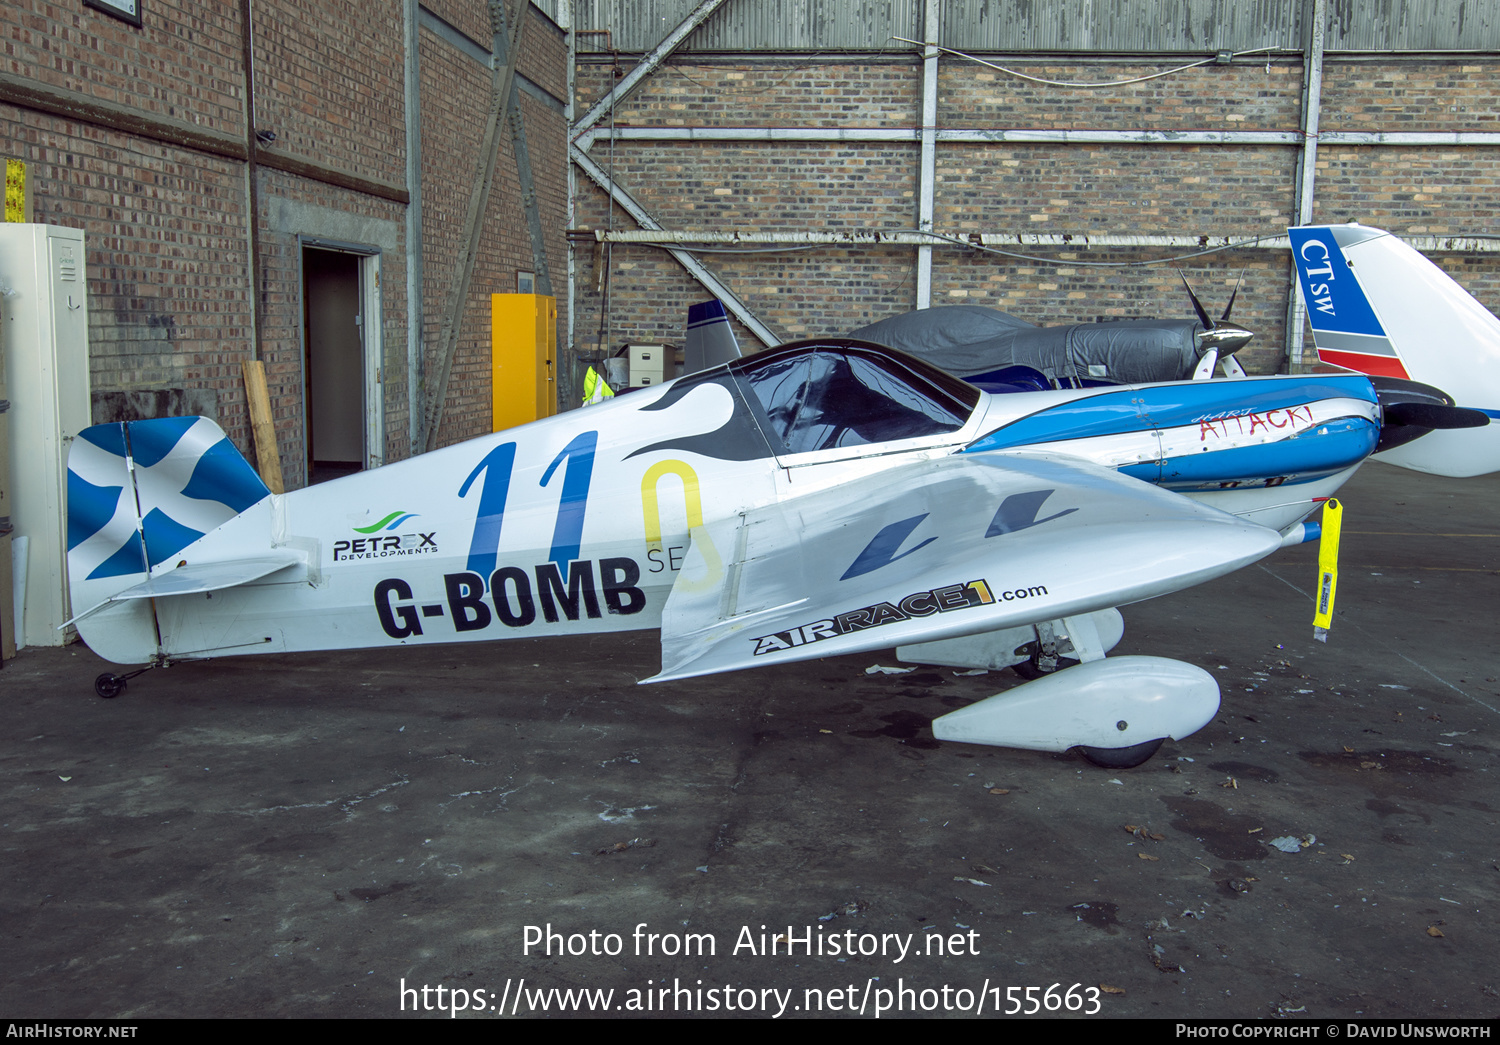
584, 522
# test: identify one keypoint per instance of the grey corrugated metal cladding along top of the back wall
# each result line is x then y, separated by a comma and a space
1087, 26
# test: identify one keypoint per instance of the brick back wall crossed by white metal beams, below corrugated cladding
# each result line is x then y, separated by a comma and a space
1025, 188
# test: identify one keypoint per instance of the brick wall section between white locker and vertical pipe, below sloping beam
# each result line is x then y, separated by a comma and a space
167, 251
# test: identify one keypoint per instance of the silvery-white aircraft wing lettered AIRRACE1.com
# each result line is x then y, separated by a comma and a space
938, 549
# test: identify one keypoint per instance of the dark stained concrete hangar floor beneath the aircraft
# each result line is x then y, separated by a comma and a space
304, 836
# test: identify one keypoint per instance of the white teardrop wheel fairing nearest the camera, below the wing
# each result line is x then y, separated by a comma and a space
1105, 704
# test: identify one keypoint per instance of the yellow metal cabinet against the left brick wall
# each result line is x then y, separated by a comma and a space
523, 341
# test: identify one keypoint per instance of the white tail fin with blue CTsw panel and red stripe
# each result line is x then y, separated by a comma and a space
1381, 308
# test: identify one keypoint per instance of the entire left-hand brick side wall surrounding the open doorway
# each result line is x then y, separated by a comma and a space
167, 217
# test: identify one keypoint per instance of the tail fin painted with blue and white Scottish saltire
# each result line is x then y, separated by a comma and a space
139, 494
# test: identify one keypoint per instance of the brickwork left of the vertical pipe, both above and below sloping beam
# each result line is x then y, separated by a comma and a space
167, 247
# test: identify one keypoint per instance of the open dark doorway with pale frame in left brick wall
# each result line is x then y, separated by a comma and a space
341, 361
